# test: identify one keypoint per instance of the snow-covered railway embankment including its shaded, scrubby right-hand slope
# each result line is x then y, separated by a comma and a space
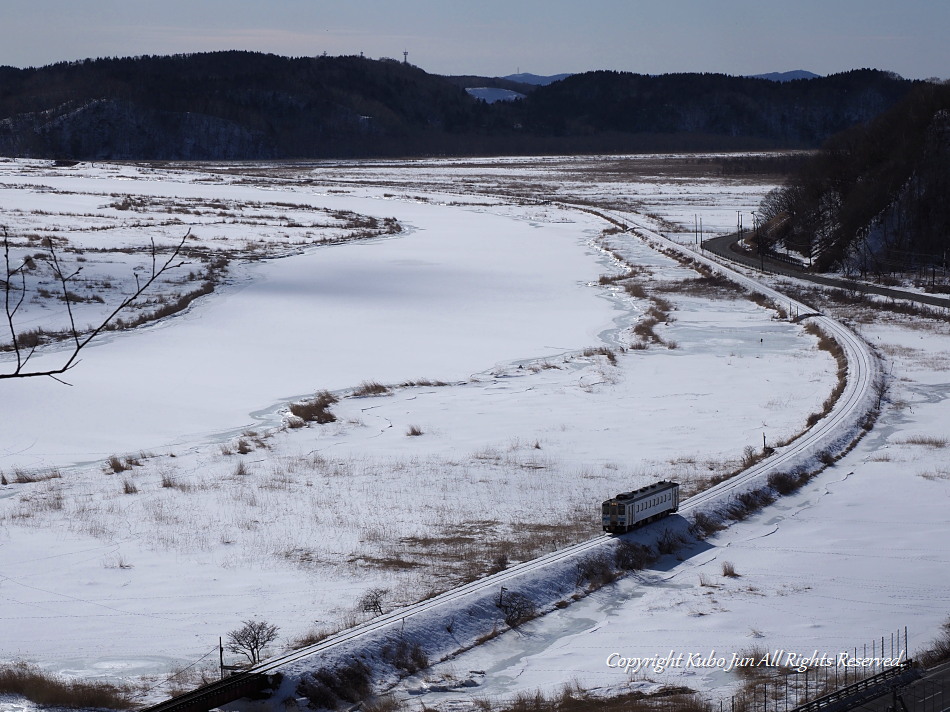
389, 646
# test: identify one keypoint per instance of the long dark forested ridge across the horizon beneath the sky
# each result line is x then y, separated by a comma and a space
244, 105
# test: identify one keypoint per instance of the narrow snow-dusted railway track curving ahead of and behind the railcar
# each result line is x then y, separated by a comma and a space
861, 376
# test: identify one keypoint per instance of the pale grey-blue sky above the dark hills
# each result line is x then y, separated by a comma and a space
500, 37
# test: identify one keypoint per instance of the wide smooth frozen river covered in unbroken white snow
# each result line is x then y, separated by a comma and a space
458, 292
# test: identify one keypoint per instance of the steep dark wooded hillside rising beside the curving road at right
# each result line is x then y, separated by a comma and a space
875, 197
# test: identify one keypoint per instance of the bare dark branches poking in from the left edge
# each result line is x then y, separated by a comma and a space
15, 292
